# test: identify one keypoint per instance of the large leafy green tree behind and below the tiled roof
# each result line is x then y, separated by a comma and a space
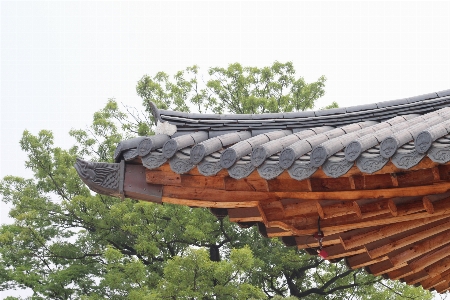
69, 243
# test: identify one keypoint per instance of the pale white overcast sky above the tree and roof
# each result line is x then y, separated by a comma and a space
61, 61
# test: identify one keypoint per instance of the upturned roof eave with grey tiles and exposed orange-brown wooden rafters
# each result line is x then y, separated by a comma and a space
377, 177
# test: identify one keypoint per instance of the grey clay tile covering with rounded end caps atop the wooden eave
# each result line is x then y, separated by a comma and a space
335, 140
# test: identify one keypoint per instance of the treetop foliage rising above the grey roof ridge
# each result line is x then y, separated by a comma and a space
235, 89
